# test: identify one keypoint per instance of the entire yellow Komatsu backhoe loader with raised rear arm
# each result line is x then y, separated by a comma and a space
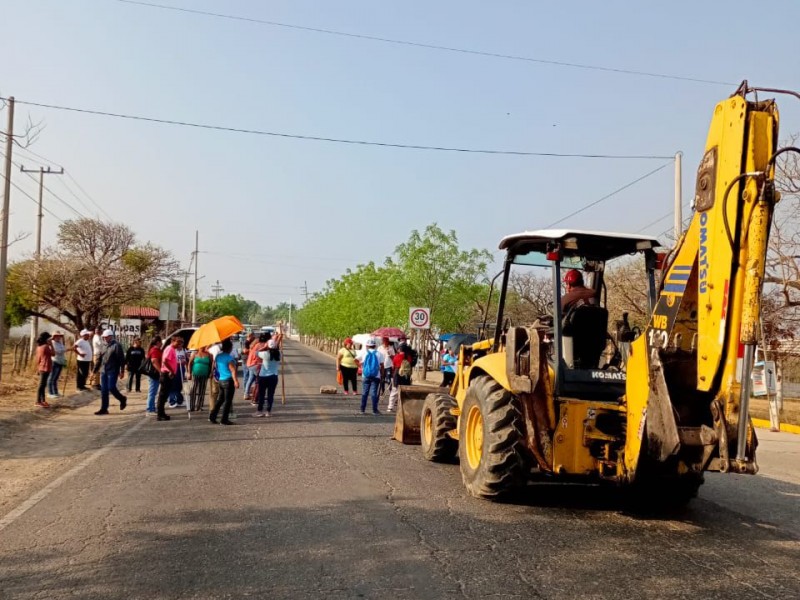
557, 400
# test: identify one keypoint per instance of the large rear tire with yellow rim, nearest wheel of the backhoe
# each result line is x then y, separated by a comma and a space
494, 460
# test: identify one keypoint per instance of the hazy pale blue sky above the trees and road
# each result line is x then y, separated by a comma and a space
274, 213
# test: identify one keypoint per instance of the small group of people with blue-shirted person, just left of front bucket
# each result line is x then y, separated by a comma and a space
378, 366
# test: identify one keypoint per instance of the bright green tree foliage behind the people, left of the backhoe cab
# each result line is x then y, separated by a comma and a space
427, 270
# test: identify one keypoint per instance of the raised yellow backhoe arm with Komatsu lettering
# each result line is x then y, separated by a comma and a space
685, 388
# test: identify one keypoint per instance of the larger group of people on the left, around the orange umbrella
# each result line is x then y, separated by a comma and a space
102, 360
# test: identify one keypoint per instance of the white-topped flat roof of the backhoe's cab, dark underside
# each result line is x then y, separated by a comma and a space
599, 245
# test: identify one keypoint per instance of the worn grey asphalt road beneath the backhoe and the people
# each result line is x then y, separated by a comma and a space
316, 502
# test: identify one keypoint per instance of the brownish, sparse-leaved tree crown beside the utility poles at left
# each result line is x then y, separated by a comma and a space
93, 269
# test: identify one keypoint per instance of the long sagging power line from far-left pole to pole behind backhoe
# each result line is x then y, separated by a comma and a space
336, 140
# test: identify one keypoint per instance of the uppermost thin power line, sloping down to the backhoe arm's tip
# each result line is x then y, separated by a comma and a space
555, 63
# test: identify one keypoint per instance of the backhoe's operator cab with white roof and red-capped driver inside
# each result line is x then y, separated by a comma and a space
587, 361
